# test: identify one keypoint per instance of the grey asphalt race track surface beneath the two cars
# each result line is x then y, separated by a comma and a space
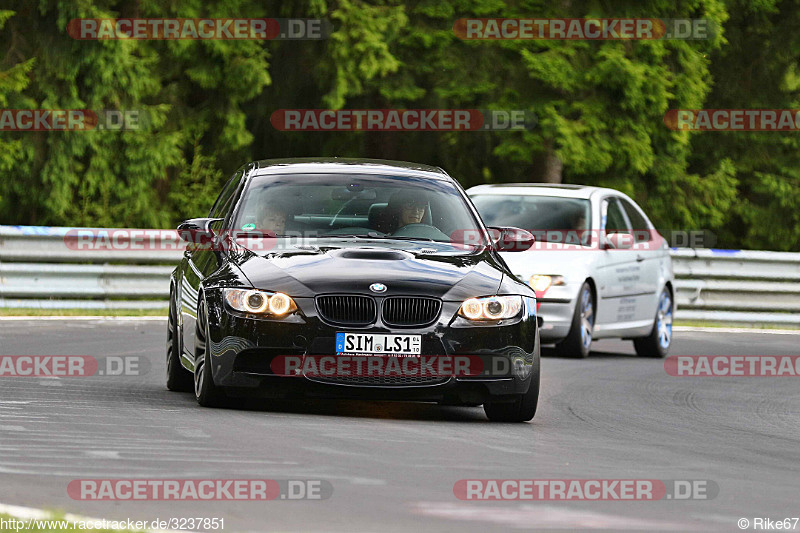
393, 466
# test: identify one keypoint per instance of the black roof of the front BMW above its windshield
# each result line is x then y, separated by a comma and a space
323, 165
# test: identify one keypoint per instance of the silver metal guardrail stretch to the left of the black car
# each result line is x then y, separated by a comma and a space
52, 268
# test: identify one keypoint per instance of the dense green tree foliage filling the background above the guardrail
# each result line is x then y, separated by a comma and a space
600, 106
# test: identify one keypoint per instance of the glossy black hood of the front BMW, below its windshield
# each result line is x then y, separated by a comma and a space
325, 270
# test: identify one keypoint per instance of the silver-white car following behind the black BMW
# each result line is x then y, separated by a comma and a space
599, 267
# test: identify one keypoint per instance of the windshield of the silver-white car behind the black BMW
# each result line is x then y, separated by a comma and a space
549, 218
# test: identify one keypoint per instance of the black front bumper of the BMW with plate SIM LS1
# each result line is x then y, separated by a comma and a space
242, 347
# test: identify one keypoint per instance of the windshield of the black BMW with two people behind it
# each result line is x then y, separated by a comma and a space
357, 206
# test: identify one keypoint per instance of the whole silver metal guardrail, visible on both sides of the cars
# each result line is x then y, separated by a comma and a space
50, 268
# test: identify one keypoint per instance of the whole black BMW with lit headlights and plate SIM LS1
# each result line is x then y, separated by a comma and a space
345, 278
